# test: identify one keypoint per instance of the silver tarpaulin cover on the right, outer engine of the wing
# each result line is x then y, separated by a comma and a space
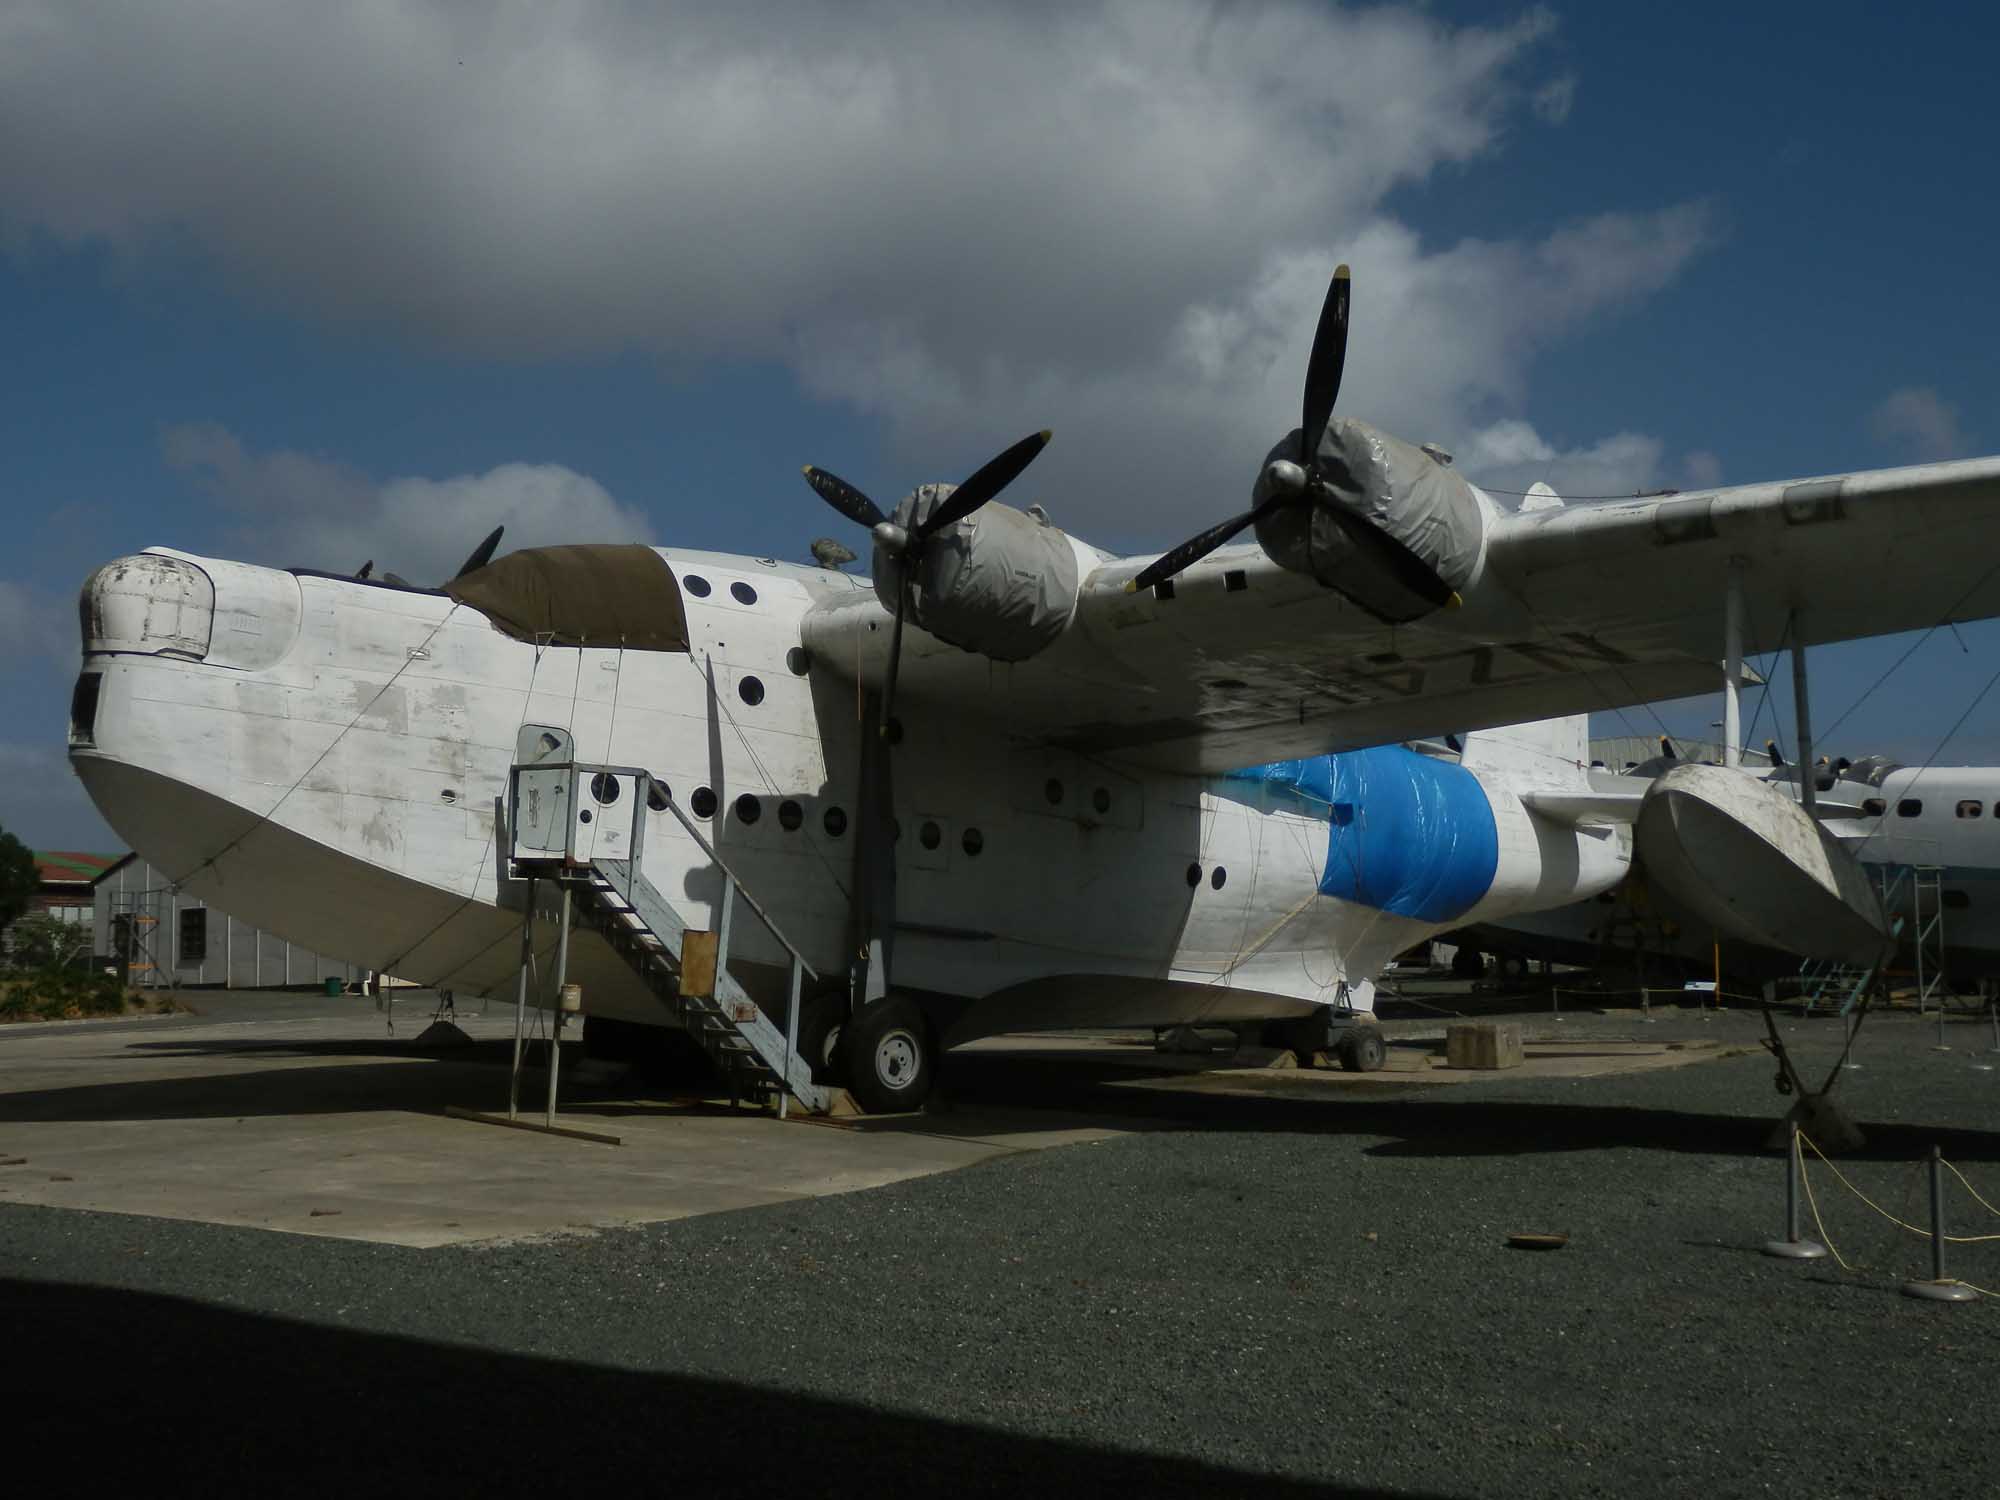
1389, 483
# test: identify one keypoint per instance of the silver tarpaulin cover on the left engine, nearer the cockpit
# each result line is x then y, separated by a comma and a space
997, 583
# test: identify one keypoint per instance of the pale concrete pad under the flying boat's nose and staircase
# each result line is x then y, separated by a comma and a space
329, 1127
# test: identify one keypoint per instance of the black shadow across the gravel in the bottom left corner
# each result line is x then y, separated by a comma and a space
153, 1395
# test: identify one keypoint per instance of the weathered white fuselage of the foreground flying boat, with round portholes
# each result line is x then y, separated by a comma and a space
327, 757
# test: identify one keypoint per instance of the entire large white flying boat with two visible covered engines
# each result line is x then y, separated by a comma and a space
997, 787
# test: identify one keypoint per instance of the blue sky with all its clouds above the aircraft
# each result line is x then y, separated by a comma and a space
361, 283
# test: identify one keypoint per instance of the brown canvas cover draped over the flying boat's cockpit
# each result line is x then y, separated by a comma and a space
581, 597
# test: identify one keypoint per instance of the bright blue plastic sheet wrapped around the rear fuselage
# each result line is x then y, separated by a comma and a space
1409, 835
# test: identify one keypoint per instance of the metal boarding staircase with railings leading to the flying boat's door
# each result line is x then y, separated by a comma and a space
561, 829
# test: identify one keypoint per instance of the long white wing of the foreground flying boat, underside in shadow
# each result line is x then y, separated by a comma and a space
1571, 609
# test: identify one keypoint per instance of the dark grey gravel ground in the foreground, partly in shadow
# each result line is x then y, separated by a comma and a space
1265, 1297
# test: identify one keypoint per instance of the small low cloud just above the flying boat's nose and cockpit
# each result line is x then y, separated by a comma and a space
309, 511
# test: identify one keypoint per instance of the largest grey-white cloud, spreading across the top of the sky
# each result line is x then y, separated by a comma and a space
1115, 219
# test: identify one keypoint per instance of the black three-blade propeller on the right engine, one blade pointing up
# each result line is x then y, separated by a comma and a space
1293, 485
